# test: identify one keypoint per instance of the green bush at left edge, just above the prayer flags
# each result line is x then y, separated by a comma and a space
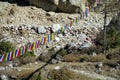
6, 47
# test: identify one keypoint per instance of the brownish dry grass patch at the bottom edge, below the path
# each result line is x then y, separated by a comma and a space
65, 74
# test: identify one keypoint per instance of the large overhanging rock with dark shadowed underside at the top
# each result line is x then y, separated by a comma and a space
70, 6
